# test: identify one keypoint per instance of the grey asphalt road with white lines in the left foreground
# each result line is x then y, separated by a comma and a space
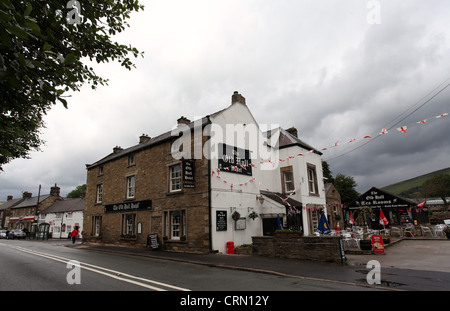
29, 266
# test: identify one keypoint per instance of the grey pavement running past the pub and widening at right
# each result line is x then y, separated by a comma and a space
406, 265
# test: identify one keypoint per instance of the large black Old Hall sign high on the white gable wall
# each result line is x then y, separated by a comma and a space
234, 160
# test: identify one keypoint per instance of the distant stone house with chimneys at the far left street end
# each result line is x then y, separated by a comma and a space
26, 213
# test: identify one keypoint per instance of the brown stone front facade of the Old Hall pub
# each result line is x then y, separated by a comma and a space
151, 168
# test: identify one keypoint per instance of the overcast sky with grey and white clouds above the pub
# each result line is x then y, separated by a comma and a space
336, 70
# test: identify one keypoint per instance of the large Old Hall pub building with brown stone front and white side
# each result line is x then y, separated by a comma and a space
223, 178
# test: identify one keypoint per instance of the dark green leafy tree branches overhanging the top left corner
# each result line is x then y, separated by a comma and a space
42, 48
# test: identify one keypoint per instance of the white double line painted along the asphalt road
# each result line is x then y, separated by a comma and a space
104, 271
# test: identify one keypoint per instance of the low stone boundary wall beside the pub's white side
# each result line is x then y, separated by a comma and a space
310, 248
